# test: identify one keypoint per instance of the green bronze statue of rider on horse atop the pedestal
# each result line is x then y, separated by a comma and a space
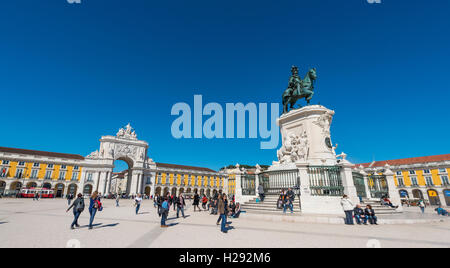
298, 88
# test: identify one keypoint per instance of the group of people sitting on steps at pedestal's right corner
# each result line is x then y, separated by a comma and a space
362, 216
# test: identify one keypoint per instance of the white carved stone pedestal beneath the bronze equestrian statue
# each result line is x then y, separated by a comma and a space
307, 148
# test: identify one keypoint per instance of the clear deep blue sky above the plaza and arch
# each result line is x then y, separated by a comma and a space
70, 73
